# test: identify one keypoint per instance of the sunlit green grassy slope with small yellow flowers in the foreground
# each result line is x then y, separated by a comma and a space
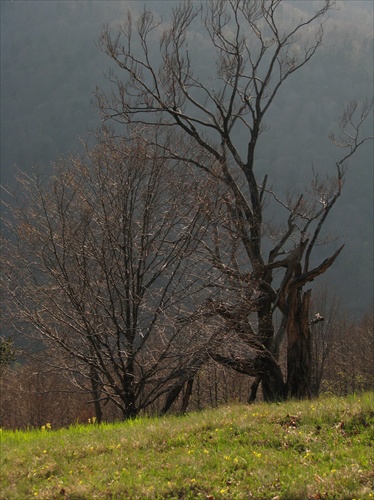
296, 450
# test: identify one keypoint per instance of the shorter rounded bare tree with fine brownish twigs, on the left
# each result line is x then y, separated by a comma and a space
100, 260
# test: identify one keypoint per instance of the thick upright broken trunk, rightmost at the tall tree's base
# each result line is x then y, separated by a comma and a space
299, 362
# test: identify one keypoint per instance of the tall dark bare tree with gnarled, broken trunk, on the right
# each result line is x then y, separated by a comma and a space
217, 122
